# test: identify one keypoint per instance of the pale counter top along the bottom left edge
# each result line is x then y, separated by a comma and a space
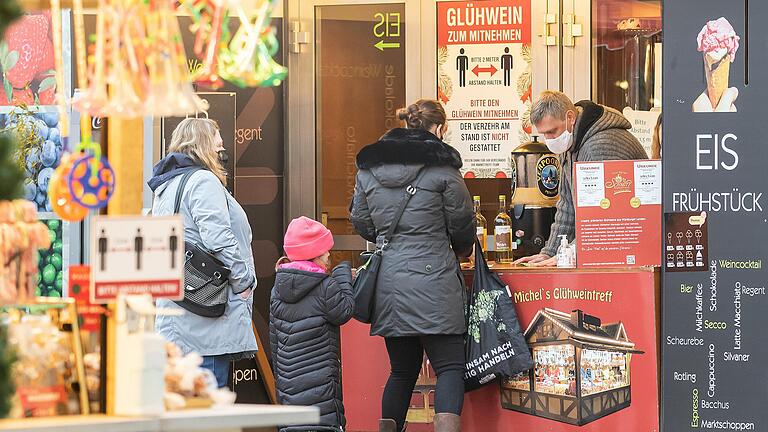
219, 419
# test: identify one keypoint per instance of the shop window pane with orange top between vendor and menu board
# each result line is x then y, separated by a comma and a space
627, 53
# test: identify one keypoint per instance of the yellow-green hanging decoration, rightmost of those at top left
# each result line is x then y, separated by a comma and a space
247, 60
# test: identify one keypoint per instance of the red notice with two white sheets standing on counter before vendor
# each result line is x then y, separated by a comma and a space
618, 213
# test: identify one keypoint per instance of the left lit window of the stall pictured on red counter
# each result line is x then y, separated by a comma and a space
555, 370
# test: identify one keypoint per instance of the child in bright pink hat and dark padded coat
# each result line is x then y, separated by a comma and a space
306, 308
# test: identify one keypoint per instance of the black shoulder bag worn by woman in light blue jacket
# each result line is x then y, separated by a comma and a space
206, 278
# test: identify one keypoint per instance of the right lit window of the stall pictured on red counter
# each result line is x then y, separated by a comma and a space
602, 371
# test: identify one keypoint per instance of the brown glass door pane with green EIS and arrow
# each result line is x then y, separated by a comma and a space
352, 73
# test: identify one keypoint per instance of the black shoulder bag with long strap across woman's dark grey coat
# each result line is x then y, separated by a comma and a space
364, 286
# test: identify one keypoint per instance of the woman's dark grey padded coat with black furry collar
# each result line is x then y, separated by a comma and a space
420, 289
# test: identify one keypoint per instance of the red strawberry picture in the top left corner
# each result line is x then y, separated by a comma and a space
27, 62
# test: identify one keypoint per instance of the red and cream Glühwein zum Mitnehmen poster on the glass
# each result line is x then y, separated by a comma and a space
484, 81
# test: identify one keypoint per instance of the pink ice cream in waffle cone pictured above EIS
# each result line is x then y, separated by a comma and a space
718, 43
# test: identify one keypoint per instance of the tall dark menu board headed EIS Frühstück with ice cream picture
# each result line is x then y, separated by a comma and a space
715, 196
